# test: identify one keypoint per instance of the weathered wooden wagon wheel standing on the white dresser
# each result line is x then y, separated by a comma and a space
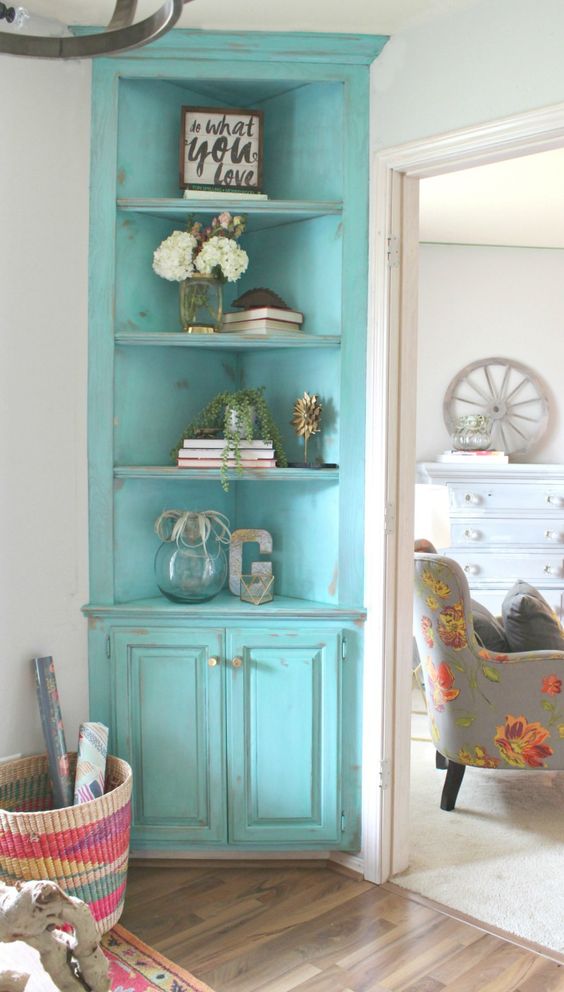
507, 392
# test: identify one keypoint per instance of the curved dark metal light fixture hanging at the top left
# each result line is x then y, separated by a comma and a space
120, 35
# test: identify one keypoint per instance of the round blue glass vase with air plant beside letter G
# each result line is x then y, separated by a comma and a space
191, 563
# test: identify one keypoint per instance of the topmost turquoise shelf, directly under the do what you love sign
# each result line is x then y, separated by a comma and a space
260, 215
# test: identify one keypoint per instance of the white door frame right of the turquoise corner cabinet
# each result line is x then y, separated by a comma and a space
390, 454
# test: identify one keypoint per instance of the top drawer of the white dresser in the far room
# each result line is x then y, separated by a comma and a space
507, 496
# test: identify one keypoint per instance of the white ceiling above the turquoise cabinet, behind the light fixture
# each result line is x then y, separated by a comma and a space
355, 16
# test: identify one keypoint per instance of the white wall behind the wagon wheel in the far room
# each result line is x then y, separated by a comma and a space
478, 302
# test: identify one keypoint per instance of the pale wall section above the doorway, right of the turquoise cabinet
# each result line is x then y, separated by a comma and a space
494, 59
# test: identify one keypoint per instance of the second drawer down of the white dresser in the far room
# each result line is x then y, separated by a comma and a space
507, 529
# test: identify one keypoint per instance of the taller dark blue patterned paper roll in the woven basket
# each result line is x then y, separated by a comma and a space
53, 731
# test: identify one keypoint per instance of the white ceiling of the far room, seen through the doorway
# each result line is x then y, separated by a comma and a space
517, 202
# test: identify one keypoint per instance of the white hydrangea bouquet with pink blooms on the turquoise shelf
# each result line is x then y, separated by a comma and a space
209, 251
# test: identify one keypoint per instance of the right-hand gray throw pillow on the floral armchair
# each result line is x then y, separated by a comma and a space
529, 622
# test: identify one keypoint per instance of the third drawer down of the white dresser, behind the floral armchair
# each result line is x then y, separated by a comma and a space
508, 567
